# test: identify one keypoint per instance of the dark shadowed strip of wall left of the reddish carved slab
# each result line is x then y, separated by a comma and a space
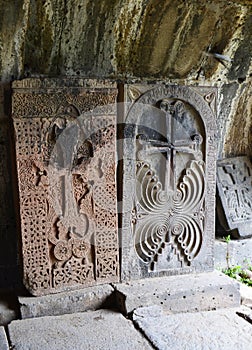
9, 238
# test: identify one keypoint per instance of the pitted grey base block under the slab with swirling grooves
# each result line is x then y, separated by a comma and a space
184, 293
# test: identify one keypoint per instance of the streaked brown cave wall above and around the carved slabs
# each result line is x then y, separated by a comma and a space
128, 40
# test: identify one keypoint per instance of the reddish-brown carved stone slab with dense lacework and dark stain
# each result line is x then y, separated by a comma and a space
65, 150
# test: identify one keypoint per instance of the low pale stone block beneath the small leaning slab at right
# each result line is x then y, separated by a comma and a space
239, 252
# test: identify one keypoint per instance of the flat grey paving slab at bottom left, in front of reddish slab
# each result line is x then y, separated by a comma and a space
99, 330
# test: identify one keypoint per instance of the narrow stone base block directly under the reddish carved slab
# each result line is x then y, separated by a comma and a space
90, 298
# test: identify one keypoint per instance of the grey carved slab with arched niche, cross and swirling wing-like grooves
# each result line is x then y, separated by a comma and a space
168, 199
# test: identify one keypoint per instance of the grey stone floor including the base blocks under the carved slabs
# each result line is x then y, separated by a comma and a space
203, 313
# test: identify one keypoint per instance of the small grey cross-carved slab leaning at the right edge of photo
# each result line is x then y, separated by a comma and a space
234, 181
